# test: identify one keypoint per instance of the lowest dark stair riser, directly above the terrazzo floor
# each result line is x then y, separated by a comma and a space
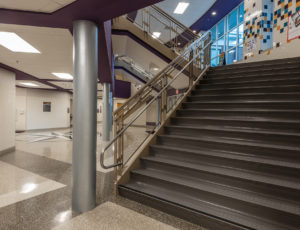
187, 214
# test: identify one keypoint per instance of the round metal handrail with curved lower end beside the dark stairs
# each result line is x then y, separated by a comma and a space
150, 103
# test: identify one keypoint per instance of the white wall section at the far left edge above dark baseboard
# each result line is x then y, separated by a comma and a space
7, 109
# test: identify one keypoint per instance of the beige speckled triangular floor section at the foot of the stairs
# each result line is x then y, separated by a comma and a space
112, 216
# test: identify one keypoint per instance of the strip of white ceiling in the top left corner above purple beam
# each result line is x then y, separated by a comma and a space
46, 6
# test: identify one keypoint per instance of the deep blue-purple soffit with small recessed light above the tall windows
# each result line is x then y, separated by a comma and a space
221, 7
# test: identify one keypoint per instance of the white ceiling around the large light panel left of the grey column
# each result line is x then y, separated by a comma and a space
55, 45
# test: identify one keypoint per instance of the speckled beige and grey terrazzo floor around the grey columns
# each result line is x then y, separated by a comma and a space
35, 191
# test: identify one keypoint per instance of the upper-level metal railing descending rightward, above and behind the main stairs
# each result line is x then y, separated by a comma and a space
163, 27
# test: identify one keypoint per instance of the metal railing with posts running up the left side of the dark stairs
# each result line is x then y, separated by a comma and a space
157, 100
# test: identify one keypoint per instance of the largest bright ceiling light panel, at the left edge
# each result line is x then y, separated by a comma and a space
15, 43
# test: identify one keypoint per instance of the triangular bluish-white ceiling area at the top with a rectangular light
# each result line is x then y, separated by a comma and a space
195, 10
